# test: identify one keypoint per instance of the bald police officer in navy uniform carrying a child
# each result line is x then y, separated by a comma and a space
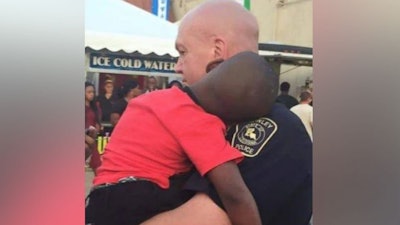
278, 152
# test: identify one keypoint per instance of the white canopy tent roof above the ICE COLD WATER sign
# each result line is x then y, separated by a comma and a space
116, 25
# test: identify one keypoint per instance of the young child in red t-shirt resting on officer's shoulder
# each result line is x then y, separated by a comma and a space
164, 135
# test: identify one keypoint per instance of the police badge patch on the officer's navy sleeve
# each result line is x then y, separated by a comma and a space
251, 137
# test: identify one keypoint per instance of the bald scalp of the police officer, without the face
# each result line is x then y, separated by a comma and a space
227, 20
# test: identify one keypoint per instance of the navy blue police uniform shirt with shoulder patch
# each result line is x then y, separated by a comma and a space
277, 168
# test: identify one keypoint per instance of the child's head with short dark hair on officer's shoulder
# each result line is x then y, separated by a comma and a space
241, 88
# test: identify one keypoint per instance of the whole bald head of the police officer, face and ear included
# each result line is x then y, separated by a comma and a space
215, 30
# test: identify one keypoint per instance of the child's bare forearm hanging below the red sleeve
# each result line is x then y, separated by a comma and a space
236, 197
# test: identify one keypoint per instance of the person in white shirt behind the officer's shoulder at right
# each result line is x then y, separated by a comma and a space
305, 111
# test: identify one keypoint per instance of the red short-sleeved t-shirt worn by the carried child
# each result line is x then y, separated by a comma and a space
161, 134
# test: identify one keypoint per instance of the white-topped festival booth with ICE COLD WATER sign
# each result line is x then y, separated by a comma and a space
126, 42
